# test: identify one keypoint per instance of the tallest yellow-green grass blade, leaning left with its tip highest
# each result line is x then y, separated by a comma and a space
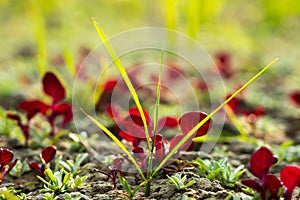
124, 75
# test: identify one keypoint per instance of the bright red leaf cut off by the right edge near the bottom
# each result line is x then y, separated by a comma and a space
290, 176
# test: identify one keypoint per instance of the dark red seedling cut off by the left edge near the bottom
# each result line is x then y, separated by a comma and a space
6, 156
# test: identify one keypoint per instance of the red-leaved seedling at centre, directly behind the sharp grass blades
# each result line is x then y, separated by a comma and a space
133, 131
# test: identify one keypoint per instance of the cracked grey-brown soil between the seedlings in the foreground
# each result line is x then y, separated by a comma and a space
99, 186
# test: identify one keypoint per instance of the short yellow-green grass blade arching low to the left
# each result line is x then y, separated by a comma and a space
117, 141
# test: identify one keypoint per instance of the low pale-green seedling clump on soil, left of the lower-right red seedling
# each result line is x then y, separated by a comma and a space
219, 170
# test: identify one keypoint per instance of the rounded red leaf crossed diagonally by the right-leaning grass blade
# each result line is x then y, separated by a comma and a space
189, 120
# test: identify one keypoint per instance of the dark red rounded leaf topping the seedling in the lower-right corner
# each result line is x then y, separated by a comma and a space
261, 161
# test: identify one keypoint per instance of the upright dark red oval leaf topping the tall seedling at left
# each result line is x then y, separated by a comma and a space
53, 87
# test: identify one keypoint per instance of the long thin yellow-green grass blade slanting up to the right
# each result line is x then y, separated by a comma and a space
189, 134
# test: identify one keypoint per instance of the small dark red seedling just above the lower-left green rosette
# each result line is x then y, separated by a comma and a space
47, 154
